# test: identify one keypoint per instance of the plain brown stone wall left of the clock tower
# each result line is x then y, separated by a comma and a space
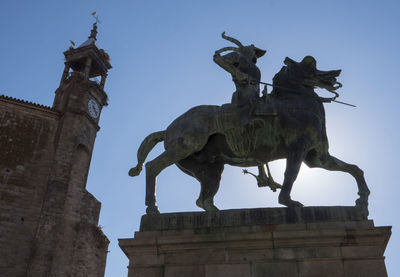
26, 153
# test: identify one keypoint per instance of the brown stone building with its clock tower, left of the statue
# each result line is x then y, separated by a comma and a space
48, 220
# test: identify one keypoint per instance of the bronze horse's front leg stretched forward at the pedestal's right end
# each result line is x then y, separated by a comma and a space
334, 164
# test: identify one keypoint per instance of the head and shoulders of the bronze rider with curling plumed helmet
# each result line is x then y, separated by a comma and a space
240, 63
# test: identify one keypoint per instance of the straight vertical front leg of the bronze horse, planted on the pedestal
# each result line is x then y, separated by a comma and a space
293, 163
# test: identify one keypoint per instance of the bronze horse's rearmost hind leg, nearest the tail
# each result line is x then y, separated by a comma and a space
154, 167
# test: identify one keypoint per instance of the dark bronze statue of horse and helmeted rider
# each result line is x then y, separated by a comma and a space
287, 124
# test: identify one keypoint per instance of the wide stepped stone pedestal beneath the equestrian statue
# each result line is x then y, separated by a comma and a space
310, 241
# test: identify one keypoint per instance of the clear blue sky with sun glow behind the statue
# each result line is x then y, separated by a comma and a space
161, 53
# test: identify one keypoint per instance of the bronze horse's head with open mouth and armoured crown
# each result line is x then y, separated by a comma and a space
306, 75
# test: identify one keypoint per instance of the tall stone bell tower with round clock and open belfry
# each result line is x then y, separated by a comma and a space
68, 231
